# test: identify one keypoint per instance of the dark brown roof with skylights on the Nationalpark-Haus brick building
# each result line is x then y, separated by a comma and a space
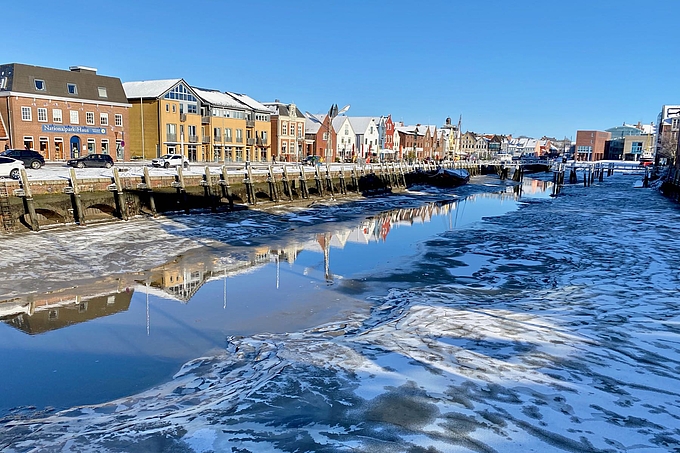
21, 78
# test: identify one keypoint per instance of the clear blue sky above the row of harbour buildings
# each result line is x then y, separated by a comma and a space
524, 67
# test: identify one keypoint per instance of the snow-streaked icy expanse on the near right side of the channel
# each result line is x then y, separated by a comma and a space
564, 337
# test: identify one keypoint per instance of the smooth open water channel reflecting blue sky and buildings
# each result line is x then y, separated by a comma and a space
123, 334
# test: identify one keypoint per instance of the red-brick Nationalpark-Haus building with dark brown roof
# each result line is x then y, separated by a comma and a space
63, 114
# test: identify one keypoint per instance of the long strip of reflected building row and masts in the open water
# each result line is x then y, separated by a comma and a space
181, 278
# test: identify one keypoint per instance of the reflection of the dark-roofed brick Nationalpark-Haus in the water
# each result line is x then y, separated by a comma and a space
70, 306
